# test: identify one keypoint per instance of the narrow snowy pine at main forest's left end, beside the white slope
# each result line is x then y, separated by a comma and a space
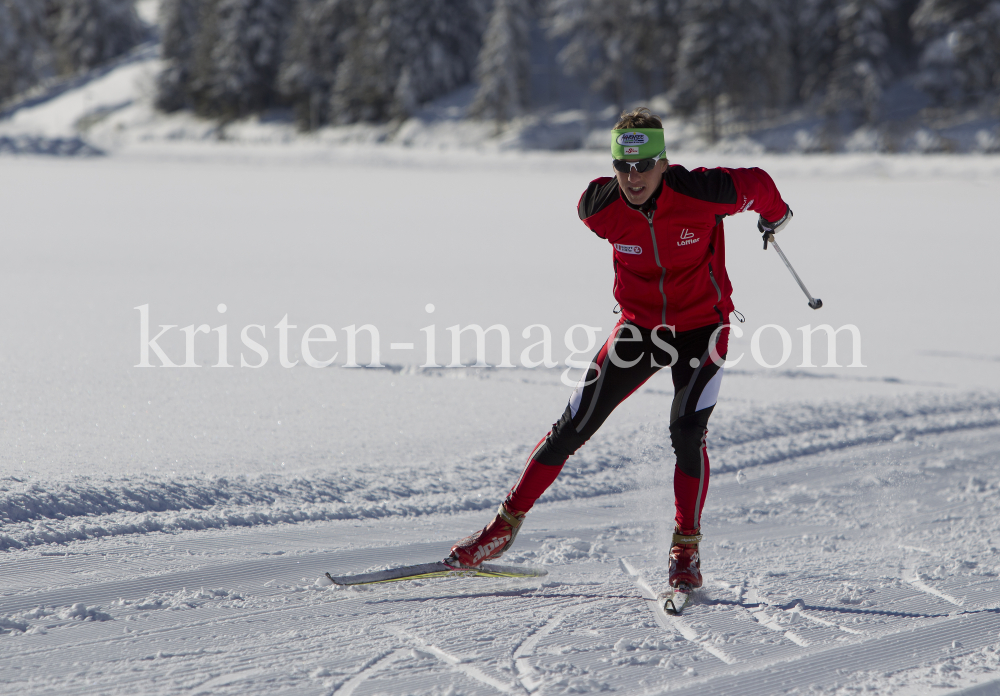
180, 25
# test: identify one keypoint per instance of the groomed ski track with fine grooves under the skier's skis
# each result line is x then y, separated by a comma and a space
794, 598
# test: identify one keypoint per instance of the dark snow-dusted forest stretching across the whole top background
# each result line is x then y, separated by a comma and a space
345, 61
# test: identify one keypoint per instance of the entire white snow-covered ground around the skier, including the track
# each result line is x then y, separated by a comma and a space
165, 530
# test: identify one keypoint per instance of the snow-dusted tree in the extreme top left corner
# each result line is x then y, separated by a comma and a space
25, 54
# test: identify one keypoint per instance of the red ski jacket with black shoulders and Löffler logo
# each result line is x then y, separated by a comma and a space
670, 253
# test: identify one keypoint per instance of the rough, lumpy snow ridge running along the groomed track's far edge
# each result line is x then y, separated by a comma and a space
620, 459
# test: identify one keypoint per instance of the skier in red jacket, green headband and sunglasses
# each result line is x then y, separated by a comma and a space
665, 226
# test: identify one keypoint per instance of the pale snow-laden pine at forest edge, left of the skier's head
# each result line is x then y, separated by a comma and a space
504, 66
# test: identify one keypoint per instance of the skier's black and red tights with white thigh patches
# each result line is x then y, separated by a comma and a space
629, 357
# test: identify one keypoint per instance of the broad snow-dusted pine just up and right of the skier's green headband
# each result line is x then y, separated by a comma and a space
733, 54
